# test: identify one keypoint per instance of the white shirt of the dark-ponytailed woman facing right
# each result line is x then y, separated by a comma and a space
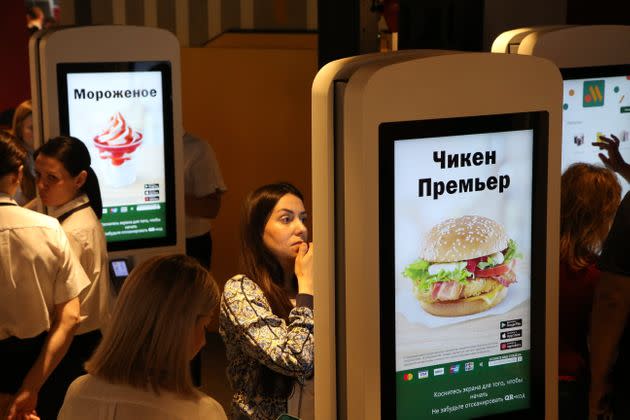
87, 240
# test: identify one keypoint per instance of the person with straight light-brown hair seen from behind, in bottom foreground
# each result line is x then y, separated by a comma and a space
140, 369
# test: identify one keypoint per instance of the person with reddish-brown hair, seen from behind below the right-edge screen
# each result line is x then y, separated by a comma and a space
590, 196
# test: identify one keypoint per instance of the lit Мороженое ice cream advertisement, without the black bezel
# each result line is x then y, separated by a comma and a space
119, 116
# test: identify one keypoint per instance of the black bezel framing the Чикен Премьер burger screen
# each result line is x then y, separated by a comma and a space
391, 132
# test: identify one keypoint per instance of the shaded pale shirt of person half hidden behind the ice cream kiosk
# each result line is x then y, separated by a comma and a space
202, 177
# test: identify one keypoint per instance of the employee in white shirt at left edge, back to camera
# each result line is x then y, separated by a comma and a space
40, 281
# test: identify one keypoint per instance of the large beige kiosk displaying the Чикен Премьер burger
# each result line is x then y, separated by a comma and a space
401, 144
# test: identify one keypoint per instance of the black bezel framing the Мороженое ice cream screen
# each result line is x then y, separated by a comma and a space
164, 67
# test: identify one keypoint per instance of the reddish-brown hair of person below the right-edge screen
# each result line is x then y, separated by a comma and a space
590, 197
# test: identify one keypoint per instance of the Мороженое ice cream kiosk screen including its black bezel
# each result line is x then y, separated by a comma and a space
123, 113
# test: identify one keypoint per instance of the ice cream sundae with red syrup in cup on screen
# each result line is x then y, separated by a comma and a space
116, 146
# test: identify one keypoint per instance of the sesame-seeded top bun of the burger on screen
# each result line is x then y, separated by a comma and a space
463, 238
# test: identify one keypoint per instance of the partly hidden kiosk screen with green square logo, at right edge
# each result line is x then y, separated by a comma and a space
596, 102
